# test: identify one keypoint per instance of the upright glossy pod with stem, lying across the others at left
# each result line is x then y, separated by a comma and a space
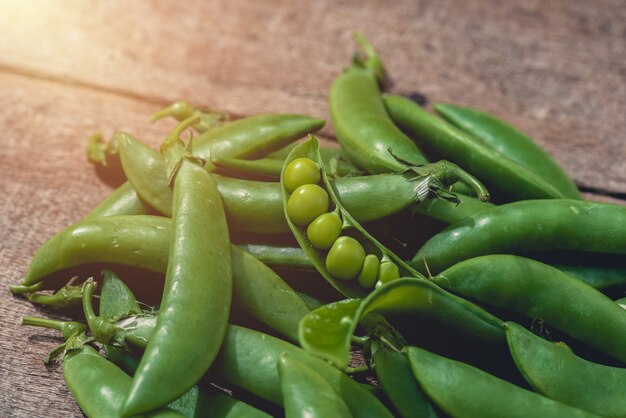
198, 284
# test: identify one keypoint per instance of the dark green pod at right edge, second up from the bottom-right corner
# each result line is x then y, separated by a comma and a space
539, 291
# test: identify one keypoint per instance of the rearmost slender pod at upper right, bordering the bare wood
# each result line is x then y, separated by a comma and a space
510, 142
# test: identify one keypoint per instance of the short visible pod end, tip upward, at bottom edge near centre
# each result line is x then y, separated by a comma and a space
306, 394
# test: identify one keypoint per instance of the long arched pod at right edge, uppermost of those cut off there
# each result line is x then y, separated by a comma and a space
533, 225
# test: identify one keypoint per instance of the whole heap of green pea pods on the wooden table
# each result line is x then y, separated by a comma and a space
275, 259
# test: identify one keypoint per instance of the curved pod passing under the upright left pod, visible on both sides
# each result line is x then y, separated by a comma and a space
143, 241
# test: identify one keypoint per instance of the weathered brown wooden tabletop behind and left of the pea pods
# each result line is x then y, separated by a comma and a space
69, 68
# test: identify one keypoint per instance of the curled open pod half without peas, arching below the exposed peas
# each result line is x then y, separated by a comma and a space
327, 331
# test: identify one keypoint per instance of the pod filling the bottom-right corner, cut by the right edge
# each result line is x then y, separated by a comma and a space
559, 374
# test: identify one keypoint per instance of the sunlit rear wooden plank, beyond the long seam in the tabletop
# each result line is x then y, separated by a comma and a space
555, 69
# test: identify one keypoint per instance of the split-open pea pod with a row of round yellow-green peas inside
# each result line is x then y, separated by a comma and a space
337, 268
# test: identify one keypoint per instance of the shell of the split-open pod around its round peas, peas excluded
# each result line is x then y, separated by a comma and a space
349, 288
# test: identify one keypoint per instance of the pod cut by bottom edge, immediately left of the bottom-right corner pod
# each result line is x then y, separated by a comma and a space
461, 390
